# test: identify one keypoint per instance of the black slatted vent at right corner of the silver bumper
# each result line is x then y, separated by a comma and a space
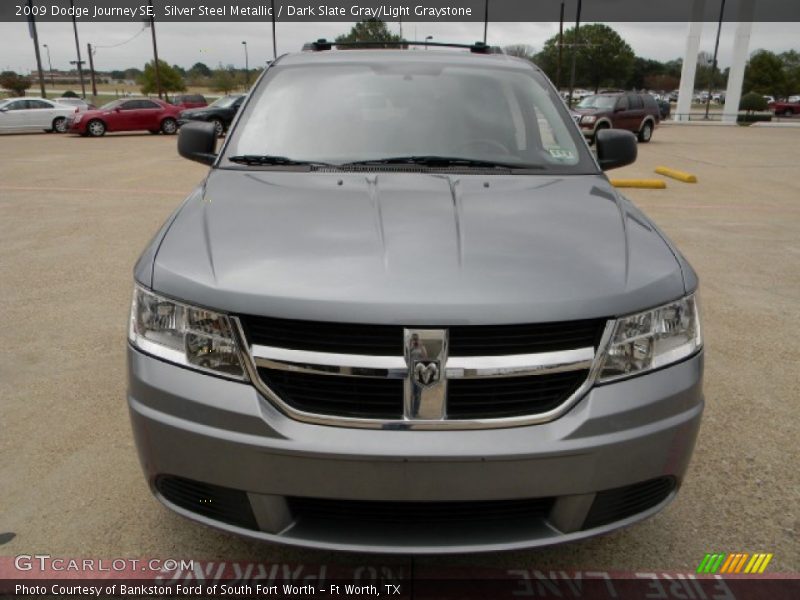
620, 503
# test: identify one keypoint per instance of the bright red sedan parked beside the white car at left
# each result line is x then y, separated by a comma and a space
133, 114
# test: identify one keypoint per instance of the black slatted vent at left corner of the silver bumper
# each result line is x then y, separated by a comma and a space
213, 501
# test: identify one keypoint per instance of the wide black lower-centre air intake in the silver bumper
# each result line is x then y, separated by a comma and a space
433, 514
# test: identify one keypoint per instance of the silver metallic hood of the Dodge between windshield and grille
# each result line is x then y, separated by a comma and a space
414, 248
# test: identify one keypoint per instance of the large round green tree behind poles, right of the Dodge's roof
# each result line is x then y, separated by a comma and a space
603, 58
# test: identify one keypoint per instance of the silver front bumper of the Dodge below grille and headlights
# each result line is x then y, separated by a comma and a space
206, 430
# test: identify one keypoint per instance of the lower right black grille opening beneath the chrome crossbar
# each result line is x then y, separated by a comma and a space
510, 396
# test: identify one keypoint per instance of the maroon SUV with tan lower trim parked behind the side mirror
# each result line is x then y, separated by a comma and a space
635, 112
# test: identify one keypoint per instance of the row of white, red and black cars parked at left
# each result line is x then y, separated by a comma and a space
128, 114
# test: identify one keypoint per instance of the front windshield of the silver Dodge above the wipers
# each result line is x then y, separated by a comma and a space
371, 112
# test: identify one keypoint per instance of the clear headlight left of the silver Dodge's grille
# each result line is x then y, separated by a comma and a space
186, 335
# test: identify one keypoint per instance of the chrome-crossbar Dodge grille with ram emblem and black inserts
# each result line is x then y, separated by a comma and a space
385, 376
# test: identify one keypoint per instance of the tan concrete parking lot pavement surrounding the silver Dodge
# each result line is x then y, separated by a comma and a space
75, 213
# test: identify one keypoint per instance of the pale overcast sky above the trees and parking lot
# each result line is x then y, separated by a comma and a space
214, 43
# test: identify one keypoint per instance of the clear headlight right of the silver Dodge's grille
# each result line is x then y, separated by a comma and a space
652, 339
